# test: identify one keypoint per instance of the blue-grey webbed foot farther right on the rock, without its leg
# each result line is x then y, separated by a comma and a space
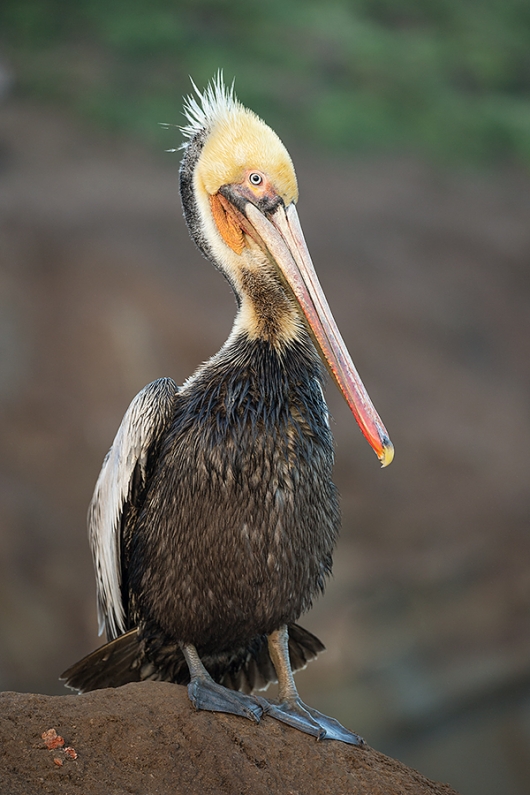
306, 719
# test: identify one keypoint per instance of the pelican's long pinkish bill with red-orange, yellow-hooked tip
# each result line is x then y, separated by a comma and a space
280, 235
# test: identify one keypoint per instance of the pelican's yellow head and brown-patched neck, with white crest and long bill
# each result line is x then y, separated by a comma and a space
239, 193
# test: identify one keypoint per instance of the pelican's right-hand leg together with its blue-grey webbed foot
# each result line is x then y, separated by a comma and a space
291, 709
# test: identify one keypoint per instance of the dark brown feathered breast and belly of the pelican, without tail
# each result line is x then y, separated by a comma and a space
242, 485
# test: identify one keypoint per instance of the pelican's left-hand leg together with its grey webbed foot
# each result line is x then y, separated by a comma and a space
206, 694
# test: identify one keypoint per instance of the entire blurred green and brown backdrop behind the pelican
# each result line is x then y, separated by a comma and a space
409, 124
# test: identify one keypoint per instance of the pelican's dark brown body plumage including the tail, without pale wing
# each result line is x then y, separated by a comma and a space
229, 526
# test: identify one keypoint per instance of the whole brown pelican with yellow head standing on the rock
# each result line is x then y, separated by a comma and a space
214, 518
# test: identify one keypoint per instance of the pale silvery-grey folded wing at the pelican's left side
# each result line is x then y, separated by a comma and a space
125, 464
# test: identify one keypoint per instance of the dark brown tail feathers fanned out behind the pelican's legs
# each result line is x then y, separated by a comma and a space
129, 658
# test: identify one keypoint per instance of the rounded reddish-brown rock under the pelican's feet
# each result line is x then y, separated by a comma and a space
146, 738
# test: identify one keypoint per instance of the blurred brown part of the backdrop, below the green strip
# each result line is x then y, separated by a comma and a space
427, 272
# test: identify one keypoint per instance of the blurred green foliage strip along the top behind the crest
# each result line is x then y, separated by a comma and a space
449, 78
